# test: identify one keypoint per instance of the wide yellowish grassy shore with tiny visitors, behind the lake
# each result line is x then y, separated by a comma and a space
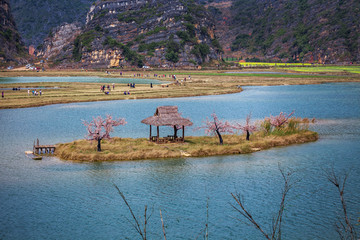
204, 82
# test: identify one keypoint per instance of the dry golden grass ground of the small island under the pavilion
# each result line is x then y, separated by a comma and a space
118, 149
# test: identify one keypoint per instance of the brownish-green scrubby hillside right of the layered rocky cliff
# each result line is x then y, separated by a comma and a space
296, 30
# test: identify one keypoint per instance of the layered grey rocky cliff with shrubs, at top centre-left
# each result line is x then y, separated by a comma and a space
147, 32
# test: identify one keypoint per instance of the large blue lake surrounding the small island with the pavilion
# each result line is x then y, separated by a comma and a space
54, 199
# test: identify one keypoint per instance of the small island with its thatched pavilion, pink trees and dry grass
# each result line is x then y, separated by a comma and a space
229, 138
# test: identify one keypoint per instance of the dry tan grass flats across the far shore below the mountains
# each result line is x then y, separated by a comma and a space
202, 83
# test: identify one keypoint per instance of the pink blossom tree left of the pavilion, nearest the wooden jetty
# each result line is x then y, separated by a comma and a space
100, 128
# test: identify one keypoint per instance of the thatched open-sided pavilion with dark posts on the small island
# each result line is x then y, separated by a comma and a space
167, 116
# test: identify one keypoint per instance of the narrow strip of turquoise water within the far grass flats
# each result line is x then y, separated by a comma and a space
77, 79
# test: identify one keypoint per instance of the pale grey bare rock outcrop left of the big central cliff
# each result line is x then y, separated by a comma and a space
59, 43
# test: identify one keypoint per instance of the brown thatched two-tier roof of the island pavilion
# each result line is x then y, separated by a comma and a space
167, 116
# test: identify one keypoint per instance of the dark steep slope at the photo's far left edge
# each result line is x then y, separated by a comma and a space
11, 47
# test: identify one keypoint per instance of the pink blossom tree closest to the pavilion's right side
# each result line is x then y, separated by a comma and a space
216, 127
